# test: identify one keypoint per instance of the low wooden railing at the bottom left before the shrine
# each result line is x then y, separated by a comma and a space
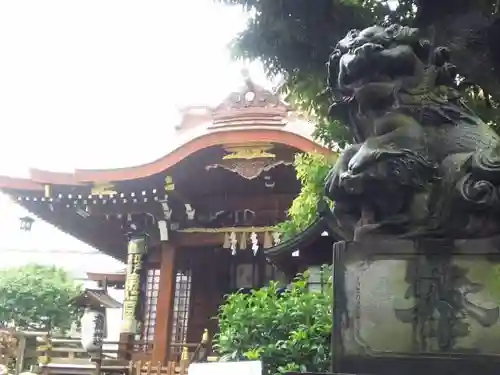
53, 355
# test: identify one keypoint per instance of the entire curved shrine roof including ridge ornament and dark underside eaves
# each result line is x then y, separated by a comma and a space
228, 147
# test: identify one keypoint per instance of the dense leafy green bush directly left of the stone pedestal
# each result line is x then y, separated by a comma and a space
288, 331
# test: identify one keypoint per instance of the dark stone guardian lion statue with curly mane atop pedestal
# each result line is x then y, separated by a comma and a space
423, 162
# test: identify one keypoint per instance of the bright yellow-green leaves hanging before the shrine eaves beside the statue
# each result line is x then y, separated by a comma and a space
311, 171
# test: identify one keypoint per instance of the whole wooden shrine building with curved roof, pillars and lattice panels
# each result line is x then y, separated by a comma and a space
193, 225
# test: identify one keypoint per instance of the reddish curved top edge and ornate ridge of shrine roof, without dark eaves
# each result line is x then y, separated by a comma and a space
251, 115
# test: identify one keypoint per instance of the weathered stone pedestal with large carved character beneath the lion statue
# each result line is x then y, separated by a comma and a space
404, 306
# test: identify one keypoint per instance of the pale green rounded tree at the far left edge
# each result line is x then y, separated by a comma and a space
37, 297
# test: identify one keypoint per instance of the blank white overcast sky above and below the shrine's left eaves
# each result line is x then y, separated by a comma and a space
98, 84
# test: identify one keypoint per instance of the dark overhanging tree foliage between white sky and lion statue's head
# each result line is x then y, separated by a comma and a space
295, 38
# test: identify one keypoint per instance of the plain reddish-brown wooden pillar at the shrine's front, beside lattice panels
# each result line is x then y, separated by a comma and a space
163, 329
